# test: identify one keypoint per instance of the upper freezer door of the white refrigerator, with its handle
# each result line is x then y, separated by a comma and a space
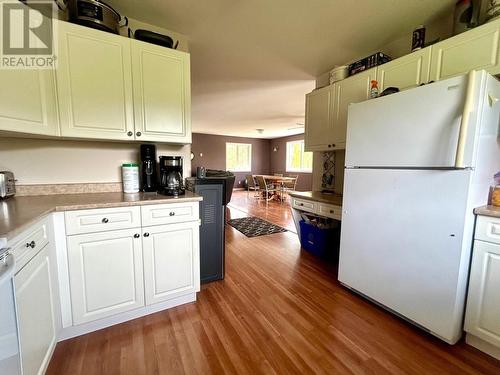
417, 128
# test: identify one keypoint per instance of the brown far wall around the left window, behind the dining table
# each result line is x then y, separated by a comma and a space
213, 148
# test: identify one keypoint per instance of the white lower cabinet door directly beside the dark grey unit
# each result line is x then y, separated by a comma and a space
171, 261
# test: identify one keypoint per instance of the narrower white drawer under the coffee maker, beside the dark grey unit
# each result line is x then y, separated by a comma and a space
169, 213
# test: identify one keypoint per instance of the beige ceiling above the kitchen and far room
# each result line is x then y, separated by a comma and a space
253, 61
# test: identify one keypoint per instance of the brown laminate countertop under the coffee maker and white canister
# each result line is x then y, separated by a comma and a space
17, 213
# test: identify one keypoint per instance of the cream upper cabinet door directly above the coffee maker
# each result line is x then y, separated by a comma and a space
162, 93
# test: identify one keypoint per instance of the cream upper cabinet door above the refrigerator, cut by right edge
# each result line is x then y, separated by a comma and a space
473, 50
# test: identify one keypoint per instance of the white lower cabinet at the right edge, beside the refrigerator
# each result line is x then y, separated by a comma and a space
482, 320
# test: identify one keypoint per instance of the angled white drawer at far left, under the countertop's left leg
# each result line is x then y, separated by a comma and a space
30, 242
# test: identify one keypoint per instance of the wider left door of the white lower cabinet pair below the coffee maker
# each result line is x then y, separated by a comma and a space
106, 275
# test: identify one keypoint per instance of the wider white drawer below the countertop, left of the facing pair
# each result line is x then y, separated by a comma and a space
103, 219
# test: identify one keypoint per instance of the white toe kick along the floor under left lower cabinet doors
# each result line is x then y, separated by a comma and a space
78, 330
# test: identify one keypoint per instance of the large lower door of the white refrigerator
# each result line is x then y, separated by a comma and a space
402, 243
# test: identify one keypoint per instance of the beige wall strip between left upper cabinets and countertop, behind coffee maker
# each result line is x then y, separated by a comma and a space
35, 161
